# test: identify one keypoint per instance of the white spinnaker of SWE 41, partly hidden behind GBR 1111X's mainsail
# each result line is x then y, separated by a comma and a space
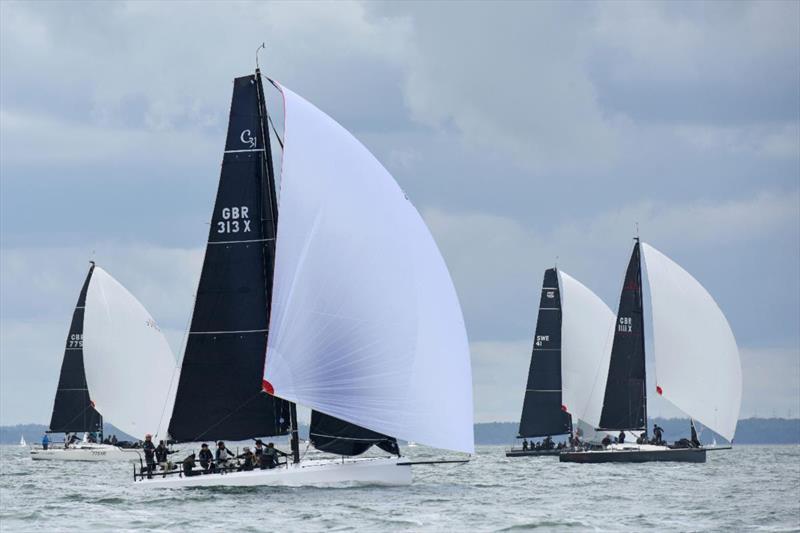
587, 333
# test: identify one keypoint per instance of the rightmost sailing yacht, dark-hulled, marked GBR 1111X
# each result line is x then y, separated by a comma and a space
697, 363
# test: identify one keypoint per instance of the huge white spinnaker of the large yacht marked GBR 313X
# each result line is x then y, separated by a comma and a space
365, 323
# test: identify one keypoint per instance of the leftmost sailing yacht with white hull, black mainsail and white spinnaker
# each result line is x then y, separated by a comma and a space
113, 342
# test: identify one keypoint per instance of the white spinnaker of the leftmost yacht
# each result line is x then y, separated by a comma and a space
129, 365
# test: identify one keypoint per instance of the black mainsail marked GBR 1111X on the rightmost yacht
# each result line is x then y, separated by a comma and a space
625, 403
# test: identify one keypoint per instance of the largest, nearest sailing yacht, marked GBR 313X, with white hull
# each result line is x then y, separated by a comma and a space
344, 306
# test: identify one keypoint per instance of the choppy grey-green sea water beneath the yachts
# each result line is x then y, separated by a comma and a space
748, 488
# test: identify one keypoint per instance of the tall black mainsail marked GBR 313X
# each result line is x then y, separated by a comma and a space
220, 392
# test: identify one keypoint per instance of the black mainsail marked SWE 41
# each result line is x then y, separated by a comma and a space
542, 411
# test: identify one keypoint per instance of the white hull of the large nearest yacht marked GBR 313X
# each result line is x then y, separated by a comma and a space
313, 472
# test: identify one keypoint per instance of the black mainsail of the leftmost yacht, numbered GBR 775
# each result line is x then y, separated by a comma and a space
73, 410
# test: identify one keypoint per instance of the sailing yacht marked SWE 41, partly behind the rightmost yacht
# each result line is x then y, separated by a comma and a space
573, 330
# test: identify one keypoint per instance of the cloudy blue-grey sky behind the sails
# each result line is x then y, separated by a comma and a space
521, 131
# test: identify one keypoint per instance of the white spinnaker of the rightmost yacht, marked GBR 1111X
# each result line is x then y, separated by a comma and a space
697, 360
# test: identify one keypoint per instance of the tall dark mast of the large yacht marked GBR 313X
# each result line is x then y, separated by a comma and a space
269, 198
